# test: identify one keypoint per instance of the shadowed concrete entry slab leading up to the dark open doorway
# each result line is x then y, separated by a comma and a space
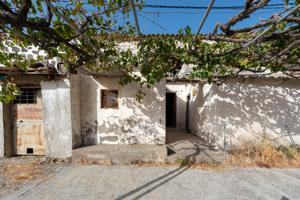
185, 146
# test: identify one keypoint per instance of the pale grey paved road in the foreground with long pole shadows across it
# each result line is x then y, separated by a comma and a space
127, 182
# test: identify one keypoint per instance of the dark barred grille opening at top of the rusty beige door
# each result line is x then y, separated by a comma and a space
27, 96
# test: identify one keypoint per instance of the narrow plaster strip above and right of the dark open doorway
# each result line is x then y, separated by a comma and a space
182, 90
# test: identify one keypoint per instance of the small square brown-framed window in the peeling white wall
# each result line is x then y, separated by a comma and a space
109, 98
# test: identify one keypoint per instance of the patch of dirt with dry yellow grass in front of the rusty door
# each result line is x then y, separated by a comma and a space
19, 171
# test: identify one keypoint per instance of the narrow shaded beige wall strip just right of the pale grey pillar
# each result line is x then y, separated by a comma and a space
75, 110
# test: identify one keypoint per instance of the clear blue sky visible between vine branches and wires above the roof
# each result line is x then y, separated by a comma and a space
173, 19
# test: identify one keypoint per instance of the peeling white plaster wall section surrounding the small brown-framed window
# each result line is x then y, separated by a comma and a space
131, 123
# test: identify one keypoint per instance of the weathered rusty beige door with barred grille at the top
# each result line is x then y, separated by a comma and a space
28, 123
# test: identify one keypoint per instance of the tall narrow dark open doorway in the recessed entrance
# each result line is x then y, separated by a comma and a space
171, 110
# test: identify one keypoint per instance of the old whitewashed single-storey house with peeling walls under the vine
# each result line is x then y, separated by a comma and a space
56, 113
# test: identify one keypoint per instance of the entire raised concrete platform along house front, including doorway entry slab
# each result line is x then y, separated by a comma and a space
180, 146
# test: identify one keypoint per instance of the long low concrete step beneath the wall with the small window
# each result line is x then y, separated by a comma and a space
120, 154
